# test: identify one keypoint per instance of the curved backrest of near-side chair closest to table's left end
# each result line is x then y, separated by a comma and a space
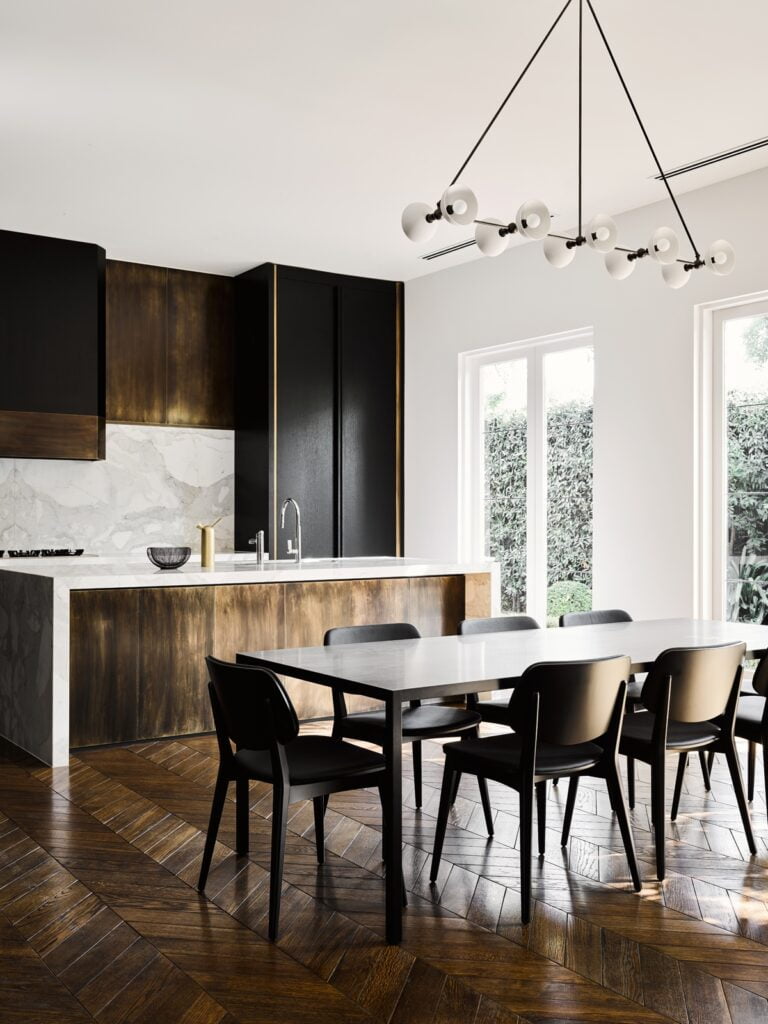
577, 700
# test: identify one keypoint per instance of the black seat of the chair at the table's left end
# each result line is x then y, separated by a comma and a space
313, 759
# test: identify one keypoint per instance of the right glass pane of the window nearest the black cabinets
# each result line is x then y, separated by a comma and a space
569, 385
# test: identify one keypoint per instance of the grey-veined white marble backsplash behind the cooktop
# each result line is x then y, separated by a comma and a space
154, 487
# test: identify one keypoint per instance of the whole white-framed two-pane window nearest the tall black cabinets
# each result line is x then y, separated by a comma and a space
527, 474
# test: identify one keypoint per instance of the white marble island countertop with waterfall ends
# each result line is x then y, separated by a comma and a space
35, 622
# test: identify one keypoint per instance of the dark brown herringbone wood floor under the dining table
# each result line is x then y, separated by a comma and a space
100, 919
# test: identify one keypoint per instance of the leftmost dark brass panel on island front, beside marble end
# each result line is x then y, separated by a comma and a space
104, 667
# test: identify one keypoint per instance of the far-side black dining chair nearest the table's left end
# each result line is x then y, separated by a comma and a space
420, 721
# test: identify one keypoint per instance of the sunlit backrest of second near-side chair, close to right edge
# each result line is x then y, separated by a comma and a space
703, 680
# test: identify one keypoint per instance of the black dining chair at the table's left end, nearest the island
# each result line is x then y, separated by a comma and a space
253, 713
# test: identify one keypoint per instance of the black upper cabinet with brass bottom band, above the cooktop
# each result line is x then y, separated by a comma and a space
53, 346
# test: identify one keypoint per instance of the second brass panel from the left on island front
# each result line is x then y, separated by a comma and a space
177, 625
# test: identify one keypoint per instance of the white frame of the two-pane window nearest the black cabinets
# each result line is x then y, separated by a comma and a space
472, 461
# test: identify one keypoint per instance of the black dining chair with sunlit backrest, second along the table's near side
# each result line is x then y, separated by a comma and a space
692, 697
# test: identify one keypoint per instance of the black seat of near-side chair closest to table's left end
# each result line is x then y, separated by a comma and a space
495, 756
